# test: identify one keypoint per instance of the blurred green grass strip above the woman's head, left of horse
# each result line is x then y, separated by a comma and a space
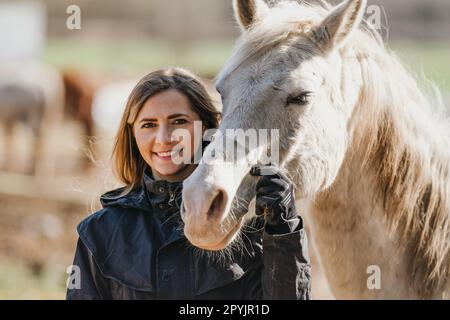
137, 57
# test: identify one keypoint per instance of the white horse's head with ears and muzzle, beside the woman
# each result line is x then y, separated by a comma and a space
287, 74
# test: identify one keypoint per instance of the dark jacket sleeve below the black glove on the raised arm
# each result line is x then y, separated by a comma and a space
286, 273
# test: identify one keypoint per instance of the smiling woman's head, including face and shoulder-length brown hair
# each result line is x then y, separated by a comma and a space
161, 102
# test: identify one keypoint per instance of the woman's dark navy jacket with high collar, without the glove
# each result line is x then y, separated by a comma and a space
135, 249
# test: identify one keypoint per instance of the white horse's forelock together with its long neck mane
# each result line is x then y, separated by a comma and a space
403, 138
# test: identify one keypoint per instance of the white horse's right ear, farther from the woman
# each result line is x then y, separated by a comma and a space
339, 24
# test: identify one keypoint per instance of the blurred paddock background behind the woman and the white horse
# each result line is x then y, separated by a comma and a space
63, 88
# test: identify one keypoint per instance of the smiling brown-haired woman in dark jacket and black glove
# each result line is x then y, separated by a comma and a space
135, 249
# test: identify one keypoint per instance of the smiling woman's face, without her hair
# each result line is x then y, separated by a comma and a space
159, 117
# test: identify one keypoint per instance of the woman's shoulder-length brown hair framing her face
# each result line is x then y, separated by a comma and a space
128, 163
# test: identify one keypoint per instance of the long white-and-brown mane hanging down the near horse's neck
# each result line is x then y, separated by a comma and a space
401, 155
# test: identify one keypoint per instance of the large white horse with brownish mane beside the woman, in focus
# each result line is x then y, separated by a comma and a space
369, 156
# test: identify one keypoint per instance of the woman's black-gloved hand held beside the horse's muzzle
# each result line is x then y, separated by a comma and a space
276, 201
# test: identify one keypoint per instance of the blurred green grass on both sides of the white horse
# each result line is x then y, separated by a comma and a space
207, 58
